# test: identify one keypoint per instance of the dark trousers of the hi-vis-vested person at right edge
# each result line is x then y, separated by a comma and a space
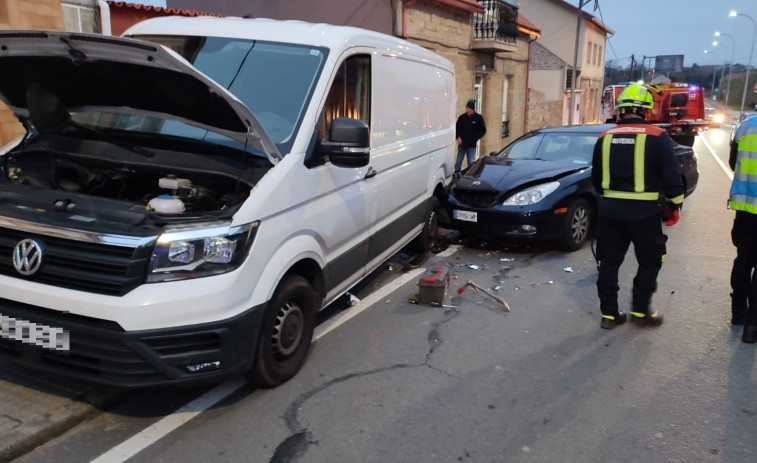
743, 275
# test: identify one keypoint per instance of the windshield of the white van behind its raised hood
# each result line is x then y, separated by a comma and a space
274, 80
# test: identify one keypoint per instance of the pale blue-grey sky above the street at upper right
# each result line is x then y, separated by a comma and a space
676, 27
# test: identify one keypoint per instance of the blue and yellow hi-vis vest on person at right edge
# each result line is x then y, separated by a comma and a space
743, 195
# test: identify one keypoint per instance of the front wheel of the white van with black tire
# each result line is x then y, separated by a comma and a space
286, 332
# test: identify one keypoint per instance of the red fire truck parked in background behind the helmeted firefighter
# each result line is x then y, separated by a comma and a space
678, 108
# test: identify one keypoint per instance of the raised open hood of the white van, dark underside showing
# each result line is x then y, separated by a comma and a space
45, 75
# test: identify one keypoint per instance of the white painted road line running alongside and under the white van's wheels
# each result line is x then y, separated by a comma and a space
163, 427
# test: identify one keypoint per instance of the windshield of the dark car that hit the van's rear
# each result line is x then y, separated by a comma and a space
574, 148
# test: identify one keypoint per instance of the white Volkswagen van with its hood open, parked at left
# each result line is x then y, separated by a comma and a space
179, 213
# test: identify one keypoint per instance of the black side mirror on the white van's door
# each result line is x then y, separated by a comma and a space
348, 144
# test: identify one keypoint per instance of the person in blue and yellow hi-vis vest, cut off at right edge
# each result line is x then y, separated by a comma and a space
743, 199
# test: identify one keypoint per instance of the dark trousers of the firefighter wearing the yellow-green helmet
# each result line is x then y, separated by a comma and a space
614, 236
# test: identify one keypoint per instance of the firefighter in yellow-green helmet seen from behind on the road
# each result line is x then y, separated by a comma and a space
635, 170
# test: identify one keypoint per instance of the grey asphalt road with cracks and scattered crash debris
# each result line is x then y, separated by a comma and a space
390, 381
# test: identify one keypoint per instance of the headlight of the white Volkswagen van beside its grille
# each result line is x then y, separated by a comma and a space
200, 250
